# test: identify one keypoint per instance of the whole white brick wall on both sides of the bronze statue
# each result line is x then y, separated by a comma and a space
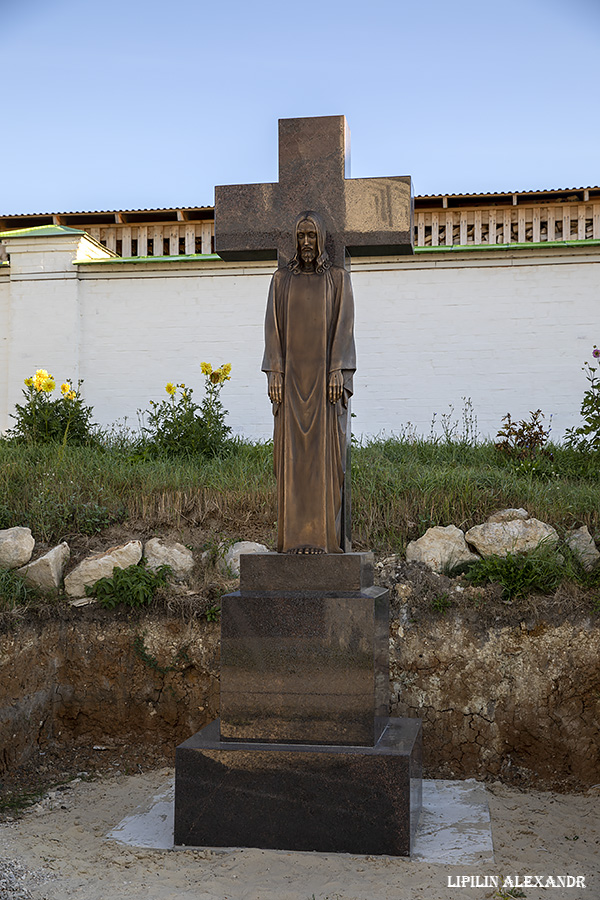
509, 329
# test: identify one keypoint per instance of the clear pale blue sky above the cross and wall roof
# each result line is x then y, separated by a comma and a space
127, 104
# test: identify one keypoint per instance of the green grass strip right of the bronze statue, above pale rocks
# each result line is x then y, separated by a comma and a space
402, 488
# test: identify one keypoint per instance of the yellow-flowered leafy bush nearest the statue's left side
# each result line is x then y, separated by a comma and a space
178, 425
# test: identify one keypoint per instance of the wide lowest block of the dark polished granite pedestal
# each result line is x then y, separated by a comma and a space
336, 799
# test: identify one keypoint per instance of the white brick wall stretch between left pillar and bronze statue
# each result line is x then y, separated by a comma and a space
140, 332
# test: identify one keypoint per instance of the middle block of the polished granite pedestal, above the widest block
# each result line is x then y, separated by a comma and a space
303, 668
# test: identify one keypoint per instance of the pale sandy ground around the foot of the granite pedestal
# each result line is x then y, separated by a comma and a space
64, 841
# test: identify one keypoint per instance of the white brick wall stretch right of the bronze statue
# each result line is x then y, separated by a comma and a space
509, 333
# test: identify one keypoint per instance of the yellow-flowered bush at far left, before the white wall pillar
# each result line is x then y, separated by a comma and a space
44, 418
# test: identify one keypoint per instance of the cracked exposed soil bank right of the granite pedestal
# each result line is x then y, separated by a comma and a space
517, 703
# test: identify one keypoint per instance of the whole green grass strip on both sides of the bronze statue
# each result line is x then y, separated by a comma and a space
399, 489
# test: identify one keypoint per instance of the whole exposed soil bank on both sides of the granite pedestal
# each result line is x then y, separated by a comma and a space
515, 700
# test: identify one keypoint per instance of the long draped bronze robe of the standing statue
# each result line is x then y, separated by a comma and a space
309, 332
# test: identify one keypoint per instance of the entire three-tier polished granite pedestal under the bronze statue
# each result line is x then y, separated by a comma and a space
304, 756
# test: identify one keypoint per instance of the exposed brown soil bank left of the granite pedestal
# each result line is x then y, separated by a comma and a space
105, 680
